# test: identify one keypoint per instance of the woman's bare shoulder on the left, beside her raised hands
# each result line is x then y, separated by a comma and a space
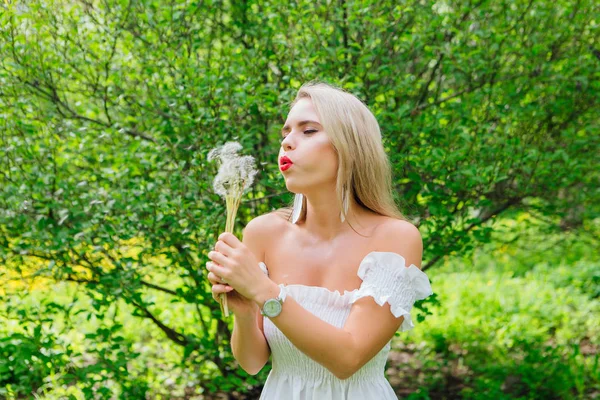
260, 230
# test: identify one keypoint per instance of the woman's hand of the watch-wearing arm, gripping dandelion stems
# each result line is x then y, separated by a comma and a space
235, 263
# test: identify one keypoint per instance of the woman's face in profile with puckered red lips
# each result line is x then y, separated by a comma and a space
314, 159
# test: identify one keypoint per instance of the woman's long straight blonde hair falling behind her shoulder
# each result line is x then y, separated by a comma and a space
364, 169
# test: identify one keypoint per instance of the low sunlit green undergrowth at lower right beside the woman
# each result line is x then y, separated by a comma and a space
503, 336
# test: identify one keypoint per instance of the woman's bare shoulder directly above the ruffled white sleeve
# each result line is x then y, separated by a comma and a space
402, 237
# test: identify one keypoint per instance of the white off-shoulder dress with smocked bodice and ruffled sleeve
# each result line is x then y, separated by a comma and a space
295, 376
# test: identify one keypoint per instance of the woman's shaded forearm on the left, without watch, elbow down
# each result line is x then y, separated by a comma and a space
248, 344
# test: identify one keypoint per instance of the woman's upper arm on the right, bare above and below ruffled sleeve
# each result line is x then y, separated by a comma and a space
371, 325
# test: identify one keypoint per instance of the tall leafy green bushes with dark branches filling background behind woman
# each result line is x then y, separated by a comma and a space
110, 108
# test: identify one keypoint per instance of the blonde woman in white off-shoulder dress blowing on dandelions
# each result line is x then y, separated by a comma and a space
325, 285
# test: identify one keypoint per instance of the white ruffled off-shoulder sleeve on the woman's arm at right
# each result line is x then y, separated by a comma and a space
387, 279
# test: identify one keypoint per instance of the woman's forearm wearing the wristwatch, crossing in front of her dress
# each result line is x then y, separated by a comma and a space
328, 345
